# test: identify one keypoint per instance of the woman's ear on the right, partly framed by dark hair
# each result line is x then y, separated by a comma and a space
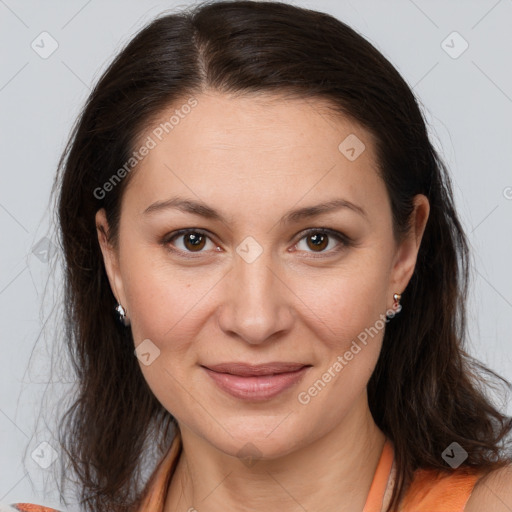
407, 252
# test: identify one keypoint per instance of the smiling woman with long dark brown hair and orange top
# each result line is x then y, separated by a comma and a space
252, 190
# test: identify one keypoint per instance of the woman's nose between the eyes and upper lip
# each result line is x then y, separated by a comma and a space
256, 306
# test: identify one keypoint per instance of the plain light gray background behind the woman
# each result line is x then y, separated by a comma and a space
468, 102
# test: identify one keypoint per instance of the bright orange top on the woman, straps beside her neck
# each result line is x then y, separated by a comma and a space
429, 491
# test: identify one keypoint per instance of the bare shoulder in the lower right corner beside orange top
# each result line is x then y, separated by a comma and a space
492, 492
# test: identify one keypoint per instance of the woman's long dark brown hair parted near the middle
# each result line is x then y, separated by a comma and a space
425, 392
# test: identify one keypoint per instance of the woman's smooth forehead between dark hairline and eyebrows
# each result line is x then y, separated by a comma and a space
257, 147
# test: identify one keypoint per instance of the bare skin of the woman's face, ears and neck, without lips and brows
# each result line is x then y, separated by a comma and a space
253, 159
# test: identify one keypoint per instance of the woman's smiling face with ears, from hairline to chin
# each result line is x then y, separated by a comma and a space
263, 273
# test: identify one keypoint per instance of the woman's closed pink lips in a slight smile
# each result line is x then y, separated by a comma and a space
256, 382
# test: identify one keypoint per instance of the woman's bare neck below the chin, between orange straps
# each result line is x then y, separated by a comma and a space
331, 474
